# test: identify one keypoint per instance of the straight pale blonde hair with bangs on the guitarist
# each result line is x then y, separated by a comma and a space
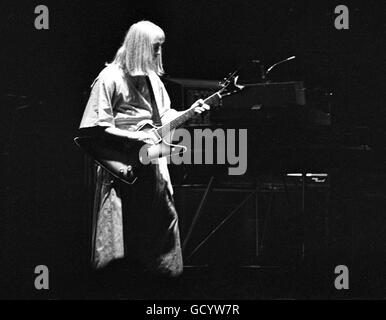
136, 55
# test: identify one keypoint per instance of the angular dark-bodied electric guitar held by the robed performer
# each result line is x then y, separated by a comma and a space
125, 160
